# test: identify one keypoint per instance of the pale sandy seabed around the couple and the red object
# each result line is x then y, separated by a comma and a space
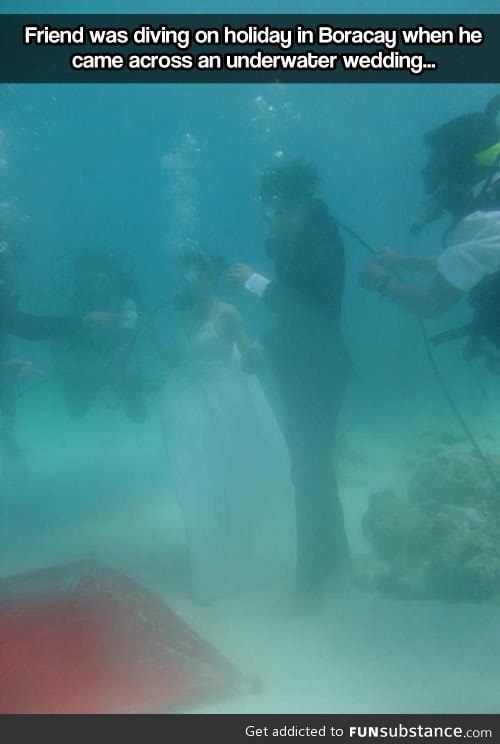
104, 494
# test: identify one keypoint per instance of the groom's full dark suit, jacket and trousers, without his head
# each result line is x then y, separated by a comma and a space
311, 365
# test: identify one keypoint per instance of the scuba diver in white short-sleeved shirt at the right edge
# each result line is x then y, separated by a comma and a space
461, 177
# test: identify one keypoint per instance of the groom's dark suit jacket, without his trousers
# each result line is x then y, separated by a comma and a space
306, 296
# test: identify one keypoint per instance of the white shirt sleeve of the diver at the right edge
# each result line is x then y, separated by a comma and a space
473, 251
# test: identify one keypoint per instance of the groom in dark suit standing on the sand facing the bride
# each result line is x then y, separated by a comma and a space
310, 362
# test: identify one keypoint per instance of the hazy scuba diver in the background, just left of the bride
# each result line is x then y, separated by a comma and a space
97, 356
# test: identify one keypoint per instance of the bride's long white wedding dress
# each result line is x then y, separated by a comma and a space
229, 468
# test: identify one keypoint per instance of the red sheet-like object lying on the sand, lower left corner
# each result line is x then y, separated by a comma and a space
81, 638
